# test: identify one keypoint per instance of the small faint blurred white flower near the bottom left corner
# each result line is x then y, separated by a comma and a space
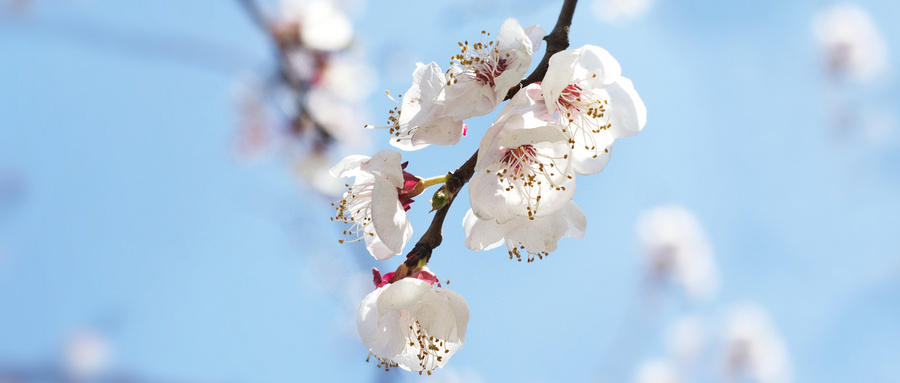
86, 354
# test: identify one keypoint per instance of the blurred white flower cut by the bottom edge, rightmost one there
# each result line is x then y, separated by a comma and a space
752, 347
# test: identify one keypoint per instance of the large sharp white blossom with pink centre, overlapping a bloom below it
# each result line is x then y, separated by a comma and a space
523, 167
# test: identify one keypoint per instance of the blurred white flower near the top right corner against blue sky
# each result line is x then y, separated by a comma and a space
851, 42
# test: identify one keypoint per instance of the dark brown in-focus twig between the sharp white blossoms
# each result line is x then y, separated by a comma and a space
557, 41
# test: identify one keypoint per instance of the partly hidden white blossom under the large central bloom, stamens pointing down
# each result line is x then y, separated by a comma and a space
537, 237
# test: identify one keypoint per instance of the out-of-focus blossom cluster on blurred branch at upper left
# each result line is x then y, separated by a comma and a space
318, 88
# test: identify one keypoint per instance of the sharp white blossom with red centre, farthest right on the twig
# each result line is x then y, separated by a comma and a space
593, 102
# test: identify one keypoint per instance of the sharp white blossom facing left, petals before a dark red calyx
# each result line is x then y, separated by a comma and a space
372, 205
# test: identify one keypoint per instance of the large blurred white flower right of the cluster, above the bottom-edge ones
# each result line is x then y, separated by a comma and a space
677, 249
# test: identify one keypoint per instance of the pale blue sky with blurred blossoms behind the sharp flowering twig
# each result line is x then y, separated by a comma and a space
165, 204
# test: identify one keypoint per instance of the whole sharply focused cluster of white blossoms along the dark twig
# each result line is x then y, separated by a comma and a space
522, 179
